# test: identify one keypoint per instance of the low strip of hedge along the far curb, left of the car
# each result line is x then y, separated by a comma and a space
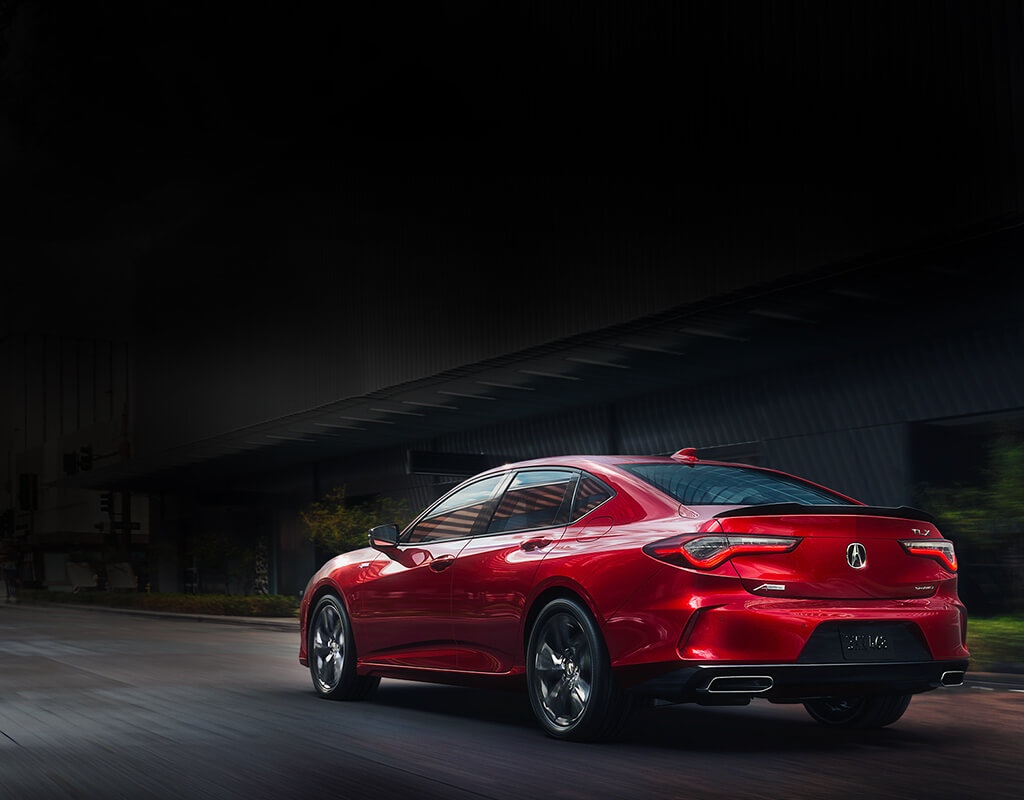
229, 605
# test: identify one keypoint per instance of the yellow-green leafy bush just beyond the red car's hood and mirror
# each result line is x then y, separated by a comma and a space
337, 528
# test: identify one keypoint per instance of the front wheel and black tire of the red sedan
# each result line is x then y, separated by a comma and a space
331, 653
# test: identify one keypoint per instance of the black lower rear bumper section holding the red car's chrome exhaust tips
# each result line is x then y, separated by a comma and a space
737, 684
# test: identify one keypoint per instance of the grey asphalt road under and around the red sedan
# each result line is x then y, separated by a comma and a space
109, 706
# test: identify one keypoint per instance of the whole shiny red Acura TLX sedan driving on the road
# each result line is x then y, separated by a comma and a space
607, 582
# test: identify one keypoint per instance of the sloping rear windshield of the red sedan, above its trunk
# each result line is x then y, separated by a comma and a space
710, 485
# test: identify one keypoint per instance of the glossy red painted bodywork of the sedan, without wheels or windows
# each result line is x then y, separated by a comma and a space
460, 610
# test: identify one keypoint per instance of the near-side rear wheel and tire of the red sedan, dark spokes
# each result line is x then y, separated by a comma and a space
573, 692
